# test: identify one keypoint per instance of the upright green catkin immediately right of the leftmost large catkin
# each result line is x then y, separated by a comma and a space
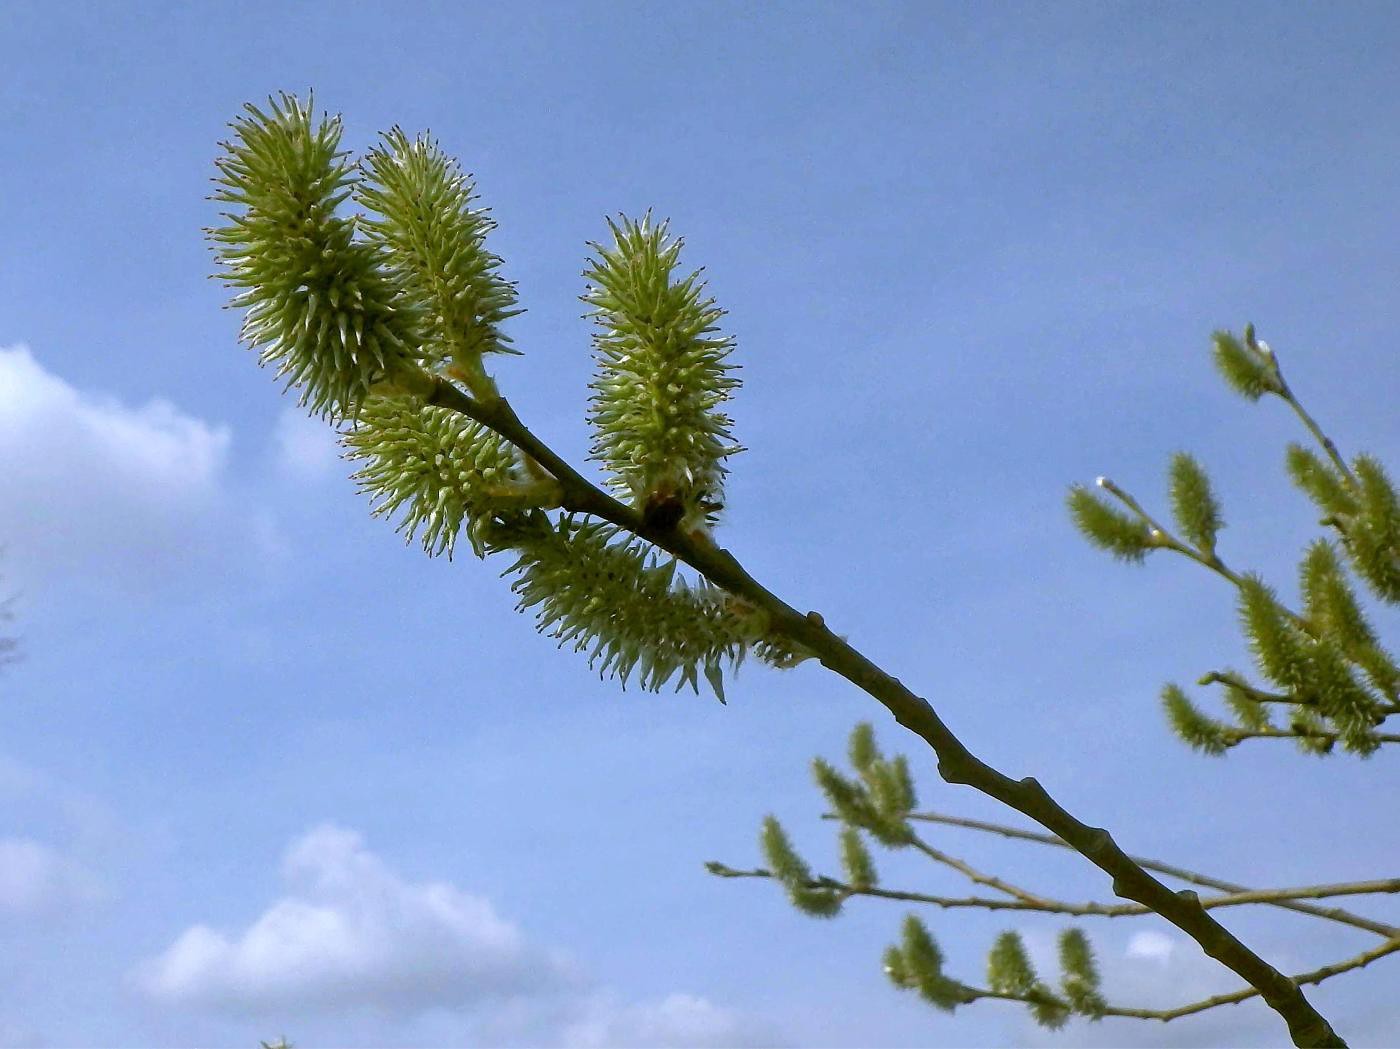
435, 244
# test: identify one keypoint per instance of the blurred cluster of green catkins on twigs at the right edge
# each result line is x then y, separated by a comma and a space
1322, 666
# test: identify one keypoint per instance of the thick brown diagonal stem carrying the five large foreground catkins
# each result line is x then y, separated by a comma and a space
955, 763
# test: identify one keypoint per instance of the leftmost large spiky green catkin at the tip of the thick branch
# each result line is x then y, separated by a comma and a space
320, 305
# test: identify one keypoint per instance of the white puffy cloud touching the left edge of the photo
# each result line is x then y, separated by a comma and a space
99, 487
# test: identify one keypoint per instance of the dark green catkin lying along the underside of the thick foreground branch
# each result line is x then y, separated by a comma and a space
624, 599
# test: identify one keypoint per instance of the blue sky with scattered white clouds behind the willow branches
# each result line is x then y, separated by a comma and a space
265, 770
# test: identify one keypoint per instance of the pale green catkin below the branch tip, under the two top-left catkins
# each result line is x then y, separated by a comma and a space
437, 470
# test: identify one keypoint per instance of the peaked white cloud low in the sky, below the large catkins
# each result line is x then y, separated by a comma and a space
353, 932
